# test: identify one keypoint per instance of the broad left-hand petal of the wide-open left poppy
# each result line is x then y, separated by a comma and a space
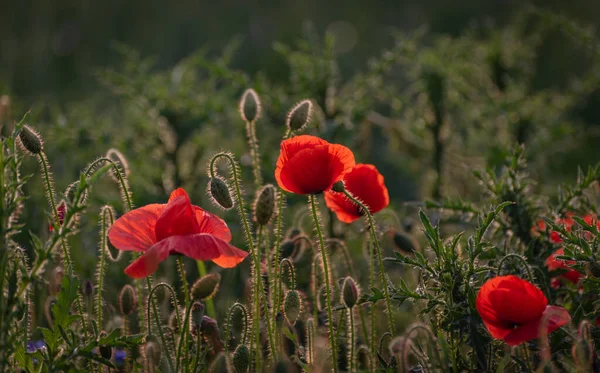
135, 230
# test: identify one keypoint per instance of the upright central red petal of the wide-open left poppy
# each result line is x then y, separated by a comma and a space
178, 218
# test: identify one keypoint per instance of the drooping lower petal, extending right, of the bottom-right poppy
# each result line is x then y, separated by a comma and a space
555, 318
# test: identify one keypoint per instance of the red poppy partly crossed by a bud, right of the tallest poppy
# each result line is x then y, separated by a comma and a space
366, 184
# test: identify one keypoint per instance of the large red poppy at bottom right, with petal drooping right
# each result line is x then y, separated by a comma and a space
513, 309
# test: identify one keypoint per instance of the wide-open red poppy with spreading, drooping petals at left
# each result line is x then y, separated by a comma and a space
177, 227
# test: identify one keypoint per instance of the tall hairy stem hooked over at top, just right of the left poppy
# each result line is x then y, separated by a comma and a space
253, 250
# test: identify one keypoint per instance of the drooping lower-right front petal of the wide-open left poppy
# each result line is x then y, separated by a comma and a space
206, 247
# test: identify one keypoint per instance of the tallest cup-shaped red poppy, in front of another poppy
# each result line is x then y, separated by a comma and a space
310, 165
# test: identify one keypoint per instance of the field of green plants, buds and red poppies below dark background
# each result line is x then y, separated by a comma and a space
434, 211
